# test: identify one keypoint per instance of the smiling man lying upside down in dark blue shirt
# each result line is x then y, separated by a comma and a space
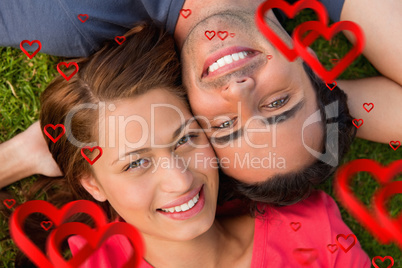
216, 97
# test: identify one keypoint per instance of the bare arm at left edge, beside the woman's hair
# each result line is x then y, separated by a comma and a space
24, 155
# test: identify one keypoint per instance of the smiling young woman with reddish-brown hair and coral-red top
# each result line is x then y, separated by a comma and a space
157, 171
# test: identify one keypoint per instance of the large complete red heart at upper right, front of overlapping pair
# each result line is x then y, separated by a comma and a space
328, 33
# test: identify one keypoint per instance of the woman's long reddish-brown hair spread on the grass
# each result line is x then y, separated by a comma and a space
146, 60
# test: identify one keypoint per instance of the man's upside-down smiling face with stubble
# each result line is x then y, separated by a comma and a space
252, 106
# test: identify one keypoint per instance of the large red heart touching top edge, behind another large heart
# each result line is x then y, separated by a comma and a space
291, 11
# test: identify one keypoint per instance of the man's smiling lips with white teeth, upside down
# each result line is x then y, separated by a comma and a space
226, 60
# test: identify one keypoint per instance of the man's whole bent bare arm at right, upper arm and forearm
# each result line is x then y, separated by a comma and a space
381, 23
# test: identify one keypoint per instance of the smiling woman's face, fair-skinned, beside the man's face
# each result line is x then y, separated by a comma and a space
157, 170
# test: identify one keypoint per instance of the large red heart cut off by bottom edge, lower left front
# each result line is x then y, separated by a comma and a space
95, 239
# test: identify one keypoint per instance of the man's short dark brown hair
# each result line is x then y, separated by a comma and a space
290, 188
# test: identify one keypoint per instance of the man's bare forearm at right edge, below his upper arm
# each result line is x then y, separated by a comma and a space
384, 122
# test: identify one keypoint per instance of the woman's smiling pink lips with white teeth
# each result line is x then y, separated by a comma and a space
185, 207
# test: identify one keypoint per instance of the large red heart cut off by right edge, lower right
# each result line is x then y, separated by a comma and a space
379, 200
